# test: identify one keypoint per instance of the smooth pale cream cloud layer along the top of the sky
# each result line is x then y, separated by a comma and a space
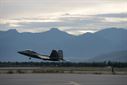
31, 8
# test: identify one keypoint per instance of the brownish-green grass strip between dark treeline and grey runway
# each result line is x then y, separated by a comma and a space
74, 70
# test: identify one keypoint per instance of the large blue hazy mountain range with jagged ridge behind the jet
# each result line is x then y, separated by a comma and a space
76, 48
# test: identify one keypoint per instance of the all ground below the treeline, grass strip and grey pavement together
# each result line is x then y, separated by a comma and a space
62, 76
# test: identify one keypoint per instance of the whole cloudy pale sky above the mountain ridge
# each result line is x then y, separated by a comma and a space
72, 16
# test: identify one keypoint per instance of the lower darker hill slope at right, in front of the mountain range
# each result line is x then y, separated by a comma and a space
118, 56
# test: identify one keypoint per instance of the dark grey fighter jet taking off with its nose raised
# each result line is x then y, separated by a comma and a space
54, 56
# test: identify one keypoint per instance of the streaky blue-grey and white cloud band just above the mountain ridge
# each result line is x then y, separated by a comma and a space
71, 23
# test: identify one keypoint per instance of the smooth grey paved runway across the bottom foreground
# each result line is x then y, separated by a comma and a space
62, 79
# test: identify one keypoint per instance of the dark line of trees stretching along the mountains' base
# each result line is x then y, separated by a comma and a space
63, 64
